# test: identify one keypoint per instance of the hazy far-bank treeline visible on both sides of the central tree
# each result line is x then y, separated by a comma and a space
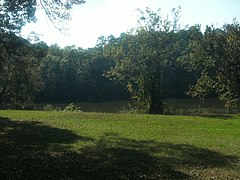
77, 75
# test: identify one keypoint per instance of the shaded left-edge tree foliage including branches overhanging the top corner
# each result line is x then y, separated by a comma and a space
20, 60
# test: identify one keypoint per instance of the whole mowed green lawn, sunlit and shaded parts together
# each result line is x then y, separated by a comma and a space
73, 145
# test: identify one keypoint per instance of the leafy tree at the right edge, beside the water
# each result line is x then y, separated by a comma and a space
216, 56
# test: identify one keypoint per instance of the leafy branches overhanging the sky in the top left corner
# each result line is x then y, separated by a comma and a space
15, 14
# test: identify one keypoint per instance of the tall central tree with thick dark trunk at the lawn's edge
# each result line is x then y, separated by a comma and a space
141, 58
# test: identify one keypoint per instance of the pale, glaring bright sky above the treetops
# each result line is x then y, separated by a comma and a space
98, 18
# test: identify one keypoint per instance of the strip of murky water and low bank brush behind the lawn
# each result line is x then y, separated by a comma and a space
171, 107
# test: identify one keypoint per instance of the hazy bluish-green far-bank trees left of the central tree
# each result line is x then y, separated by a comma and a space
75, 74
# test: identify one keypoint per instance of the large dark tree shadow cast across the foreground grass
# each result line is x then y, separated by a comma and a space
31, 150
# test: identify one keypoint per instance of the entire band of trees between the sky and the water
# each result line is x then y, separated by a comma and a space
156, 60
